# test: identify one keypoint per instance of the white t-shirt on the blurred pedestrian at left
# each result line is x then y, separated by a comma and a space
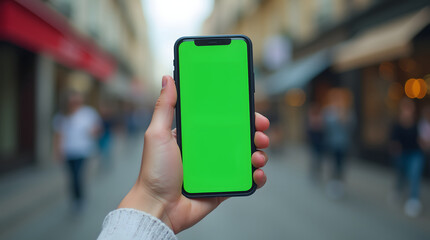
77, 132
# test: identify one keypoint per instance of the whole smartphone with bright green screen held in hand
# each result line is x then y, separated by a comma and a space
215, 114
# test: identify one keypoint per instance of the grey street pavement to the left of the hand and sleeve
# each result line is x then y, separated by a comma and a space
34, 201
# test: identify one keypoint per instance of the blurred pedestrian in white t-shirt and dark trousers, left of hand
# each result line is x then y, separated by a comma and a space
76, 130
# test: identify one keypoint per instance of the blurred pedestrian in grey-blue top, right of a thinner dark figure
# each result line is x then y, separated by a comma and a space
338, 124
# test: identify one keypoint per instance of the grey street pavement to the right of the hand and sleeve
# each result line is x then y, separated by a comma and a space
290, 206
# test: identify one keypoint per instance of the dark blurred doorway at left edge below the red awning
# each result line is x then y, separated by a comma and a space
17, 112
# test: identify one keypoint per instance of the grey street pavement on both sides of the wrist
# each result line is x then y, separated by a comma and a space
290, 206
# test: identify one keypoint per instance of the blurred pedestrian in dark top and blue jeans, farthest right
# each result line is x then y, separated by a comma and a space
408, 156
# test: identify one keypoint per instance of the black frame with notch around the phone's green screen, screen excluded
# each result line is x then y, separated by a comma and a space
217, 40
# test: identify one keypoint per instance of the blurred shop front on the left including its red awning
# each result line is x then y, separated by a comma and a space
39, 48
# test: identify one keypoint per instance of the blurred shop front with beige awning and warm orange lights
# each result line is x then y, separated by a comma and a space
381, 60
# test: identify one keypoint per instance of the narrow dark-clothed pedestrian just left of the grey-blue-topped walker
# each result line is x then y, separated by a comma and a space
315, 132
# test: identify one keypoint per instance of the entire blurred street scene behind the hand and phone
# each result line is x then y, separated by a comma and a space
344, 83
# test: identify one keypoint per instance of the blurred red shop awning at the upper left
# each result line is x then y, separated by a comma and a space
34, 26
